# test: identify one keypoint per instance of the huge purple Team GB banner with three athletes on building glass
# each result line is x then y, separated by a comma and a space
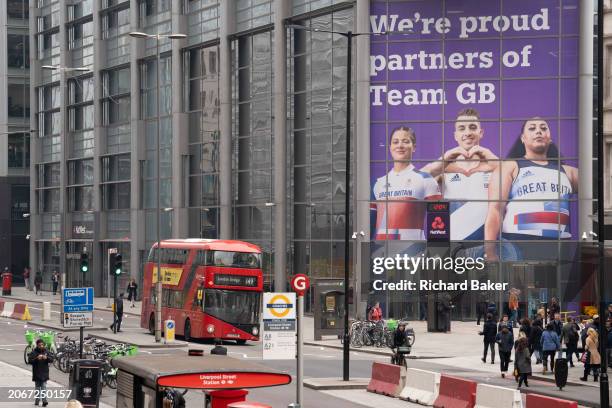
475, 103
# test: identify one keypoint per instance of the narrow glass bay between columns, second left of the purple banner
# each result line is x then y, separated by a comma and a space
252, 143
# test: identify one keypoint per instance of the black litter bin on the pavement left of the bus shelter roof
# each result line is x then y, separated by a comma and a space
85, 381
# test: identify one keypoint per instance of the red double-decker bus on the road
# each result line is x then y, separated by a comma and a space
210, 288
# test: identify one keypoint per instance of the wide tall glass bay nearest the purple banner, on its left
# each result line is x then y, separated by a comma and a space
317, 96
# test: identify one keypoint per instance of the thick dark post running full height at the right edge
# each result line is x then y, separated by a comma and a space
604, 392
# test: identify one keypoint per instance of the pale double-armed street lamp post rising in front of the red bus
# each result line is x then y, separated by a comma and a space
158, 285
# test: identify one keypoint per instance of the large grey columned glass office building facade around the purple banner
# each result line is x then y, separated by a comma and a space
252, 125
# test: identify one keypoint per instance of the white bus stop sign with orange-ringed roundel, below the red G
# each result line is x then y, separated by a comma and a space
279, 326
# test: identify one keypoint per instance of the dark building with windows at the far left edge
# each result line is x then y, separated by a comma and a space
14, 135
